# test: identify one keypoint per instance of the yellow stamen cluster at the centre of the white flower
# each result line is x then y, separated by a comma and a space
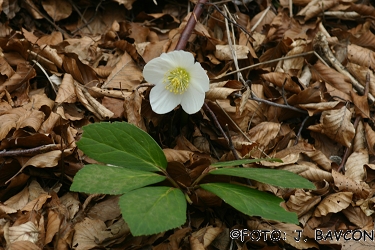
177, 80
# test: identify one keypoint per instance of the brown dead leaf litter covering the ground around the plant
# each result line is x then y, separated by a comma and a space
292, 80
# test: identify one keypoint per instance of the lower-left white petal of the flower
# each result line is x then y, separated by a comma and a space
162, 100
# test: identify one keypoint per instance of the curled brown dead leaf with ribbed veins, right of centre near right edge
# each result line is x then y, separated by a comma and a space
336, 125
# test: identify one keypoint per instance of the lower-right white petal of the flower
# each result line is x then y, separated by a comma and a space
192, 100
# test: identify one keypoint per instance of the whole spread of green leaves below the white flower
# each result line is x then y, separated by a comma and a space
135, 161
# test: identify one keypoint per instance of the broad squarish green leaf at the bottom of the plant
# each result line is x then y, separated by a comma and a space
152, 210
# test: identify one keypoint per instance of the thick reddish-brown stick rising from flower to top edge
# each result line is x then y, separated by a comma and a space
185, 35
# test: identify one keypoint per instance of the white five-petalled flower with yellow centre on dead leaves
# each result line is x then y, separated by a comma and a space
178, 80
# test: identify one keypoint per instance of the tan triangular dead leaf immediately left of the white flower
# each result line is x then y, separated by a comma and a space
126, 75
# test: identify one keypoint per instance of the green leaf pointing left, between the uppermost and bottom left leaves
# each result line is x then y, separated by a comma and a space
101, 179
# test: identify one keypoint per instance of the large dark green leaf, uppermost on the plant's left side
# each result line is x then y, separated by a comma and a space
122, 144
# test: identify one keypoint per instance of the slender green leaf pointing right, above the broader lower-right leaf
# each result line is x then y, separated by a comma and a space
276, 177
